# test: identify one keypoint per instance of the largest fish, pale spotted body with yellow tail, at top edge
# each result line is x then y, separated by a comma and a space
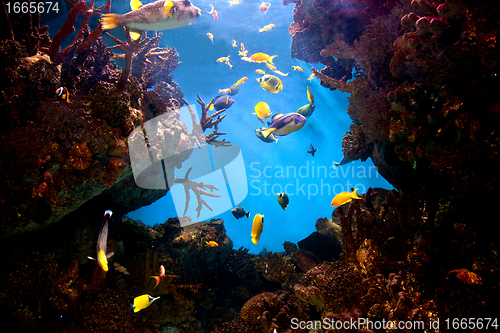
159, 15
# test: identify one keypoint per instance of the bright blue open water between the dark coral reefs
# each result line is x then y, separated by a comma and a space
266, 164
